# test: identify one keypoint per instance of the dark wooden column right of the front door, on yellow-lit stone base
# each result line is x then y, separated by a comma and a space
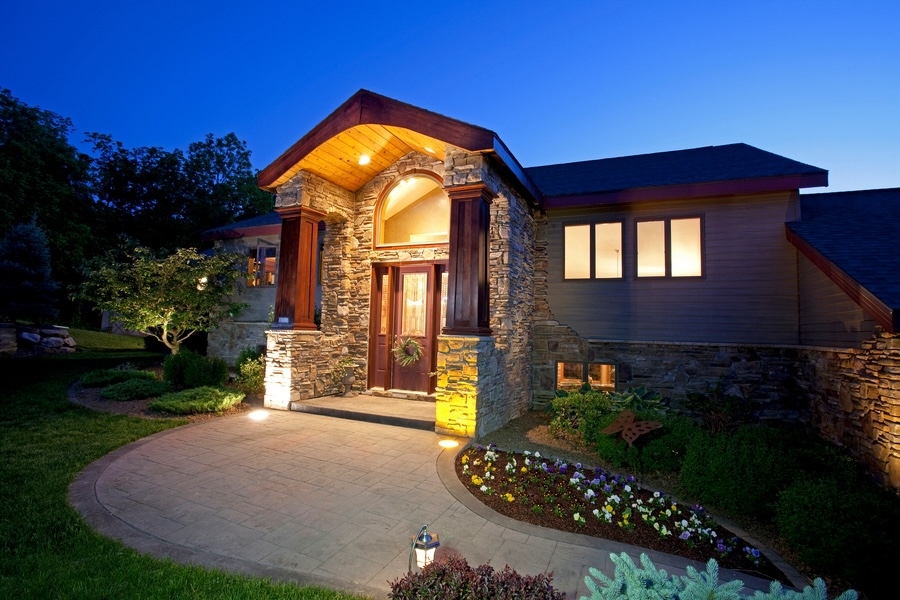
468, 307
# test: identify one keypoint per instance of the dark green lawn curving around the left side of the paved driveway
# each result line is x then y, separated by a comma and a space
46, 549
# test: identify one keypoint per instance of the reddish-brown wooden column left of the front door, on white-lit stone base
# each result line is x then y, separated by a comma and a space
295, 296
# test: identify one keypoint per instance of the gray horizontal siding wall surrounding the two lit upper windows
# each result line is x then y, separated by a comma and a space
748, 293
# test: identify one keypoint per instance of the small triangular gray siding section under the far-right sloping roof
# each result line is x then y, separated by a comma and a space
827, 316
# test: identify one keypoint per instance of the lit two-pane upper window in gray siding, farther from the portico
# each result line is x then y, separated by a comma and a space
669, 248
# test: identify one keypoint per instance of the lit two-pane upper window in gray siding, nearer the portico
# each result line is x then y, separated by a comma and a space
606, 241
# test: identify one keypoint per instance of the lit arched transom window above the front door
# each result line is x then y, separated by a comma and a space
414, 210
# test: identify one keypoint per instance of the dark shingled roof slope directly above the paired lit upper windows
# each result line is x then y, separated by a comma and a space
732, 162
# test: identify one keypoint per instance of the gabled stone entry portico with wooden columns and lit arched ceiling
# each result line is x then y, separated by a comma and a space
444, 264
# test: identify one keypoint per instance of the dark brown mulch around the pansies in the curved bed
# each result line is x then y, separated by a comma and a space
536, 488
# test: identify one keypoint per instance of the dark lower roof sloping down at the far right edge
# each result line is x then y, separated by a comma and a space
856, 234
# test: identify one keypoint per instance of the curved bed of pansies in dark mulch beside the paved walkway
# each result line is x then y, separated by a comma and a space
572, 497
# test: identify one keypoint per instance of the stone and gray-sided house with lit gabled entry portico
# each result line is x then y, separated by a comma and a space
421, 235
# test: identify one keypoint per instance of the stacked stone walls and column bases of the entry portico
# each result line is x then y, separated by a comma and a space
496, 368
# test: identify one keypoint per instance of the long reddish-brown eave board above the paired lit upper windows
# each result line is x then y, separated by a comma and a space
734, 187
